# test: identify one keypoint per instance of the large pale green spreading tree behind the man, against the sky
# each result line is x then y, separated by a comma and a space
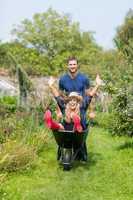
49, 39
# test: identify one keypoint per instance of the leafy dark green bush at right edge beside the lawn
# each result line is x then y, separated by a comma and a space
122, 123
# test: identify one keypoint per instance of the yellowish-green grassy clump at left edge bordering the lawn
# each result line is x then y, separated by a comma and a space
15, 156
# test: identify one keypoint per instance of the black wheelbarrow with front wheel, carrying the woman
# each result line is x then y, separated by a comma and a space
71, 146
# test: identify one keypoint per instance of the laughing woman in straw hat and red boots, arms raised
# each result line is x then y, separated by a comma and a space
73, 108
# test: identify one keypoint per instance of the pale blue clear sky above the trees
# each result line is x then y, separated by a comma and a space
99, 16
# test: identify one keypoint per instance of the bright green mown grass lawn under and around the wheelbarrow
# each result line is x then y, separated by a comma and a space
108, 174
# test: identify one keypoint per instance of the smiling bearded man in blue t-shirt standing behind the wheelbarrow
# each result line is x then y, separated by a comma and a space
74, 81
